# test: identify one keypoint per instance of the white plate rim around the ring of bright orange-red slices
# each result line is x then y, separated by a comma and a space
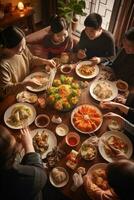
88, 106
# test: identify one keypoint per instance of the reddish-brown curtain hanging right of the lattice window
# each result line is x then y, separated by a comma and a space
125, 20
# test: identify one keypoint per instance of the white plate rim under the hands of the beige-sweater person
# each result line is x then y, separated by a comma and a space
34, 75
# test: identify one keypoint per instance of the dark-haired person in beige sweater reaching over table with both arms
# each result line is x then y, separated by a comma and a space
16, 62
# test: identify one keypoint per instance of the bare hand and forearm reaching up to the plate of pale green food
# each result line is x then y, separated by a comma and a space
26, 140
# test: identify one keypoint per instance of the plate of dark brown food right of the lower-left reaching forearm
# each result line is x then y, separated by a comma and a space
44, 141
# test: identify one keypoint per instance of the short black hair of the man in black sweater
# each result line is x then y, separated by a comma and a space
93, 20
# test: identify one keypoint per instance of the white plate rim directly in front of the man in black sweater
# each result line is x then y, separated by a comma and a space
94, 74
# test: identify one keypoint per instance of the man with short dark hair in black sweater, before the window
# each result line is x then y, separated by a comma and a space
95, 43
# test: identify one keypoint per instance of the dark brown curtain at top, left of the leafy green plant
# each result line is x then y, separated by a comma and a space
49, 8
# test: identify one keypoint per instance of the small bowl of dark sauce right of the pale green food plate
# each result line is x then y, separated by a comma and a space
42, 120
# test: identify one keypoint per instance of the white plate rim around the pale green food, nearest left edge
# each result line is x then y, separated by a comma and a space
29, 120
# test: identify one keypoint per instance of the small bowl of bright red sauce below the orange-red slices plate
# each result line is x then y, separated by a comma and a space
72, 139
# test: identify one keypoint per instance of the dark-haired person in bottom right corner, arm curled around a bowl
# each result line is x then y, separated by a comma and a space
120, 177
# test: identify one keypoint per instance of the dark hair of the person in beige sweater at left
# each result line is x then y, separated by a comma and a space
10, 37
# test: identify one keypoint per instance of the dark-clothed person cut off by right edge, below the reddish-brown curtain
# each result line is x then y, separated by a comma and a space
123, 65
